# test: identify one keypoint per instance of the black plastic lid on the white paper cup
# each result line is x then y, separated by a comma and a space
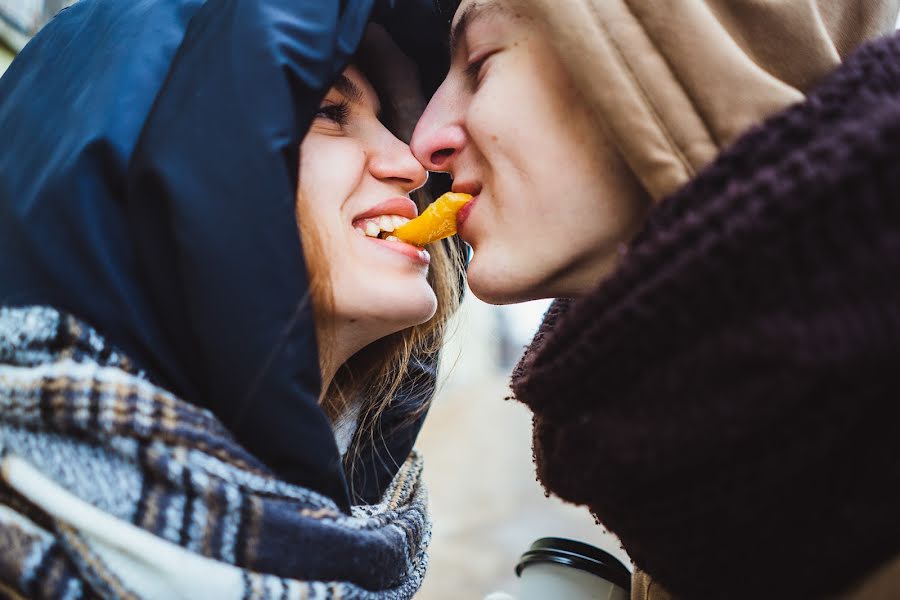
578, 556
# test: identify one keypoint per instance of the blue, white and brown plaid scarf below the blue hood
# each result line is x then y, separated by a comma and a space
112, 487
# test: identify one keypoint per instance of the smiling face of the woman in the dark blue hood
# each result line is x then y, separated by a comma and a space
355, 180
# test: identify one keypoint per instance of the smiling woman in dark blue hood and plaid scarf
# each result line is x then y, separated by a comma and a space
170, 426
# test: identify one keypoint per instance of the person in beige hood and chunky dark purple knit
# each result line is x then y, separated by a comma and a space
716, 193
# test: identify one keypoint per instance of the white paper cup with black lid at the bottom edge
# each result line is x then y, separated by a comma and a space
557, 568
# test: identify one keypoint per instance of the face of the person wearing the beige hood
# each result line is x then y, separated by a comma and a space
554, 200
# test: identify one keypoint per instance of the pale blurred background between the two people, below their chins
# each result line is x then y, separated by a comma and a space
486, 503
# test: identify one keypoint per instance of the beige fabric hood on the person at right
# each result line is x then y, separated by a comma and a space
676, 81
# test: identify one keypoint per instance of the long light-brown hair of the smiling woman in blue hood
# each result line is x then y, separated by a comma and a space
371, 378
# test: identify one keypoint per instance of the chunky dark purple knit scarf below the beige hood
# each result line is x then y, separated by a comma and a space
728, 403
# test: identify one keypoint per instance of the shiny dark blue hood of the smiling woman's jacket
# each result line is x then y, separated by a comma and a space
148, 153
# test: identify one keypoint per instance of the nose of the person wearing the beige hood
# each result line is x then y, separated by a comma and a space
439, 136
